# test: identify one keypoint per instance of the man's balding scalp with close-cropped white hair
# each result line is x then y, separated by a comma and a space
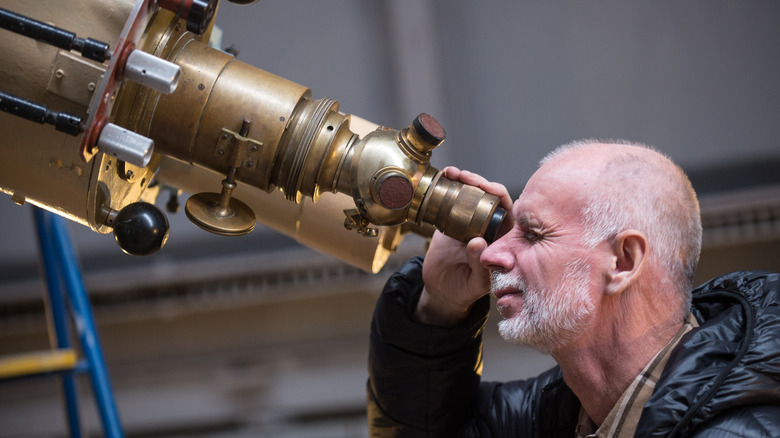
622, 186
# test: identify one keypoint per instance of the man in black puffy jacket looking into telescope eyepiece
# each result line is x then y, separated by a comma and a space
596, 271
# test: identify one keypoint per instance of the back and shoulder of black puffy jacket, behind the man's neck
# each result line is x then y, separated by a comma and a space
727, 370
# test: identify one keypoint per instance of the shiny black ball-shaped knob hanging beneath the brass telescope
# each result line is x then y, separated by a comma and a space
140, 229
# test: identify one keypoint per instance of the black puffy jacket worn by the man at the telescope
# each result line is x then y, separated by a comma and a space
722, 380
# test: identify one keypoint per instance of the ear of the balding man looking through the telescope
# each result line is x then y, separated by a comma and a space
629, 252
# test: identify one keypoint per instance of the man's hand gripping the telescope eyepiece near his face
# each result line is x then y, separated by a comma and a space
453, 275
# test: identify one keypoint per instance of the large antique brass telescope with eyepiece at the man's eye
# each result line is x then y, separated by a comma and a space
164, 94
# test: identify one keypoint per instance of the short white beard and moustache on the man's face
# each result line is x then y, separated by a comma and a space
550, 318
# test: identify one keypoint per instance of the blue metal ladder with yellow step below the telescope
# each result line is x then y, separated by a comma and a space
67, 296
